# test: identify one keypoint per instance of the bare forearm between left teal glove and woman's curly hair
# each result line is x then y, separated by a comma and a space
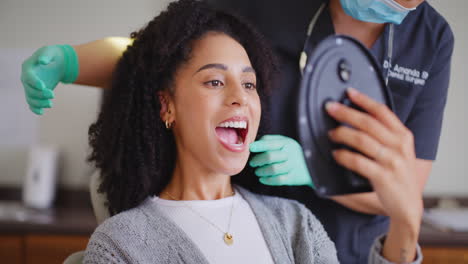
97, 60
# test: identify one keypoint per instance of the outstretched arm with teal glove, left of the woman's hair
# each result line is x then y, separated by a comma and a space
87, 64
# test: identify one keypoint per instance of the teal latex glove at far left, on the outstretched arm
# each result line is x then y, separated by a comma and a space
42, 72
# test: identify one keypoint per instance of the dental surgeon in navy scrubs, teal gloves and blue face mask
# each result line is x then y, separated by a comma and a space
410, 40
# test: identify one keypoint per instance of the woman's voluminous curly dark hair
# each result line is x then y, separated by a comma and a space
131, 147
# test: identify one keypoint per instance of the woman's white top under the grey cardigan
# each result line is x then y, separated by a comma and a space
249, 244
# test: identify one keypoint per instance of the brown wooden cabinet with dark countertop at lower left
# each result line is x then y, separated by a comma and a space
45, 236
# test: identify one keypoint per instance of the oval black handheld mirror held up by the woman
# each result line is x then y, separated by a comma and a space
338, 62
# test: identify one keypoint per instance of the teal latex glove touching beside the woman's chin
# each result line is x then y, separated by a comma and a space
280, 161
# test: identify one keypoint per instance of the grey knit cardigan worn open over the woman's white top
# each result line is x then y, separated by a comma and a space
145, 235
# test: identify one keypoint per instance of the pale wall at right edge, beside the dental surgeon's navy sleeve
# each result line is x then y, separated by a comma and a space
450, 172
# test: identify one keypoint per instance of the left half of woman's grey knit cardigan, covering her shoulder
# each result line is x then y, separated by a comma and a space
138, 235
